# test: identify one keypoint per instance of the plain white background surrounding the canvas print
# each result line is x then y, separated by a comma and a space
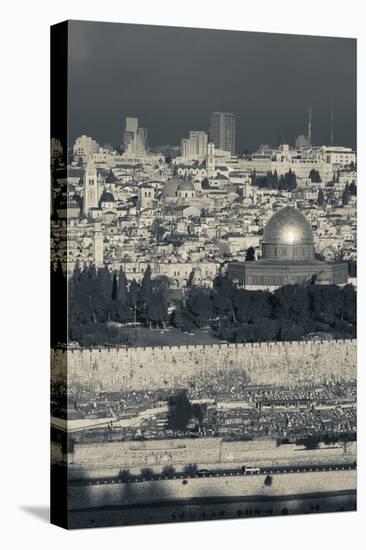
24, 206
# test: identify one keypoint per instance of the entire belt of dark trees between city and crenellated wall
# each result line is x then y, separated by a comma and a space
99, 297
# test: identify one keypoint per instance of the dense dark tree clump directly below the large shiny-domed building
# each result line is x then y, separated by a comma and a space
289, 313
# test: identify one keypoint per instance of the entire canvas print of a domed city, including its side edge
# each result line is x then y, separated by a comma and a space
203, 274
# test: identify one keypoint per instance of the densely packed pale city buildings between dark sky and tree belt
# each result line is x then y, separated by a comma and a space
188, 211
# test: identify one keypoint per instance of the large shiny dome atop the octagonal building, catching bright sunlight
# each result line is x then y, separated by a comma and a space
288, 226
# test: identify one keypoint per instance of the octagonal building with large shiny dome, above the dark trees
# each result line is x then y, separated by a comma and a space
288, 257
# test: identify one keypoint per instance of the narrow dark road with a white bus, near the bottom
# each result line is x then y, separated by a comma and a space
278, 470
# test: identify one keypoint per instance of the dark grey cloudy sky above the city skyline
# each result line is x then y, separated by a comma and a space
173, 78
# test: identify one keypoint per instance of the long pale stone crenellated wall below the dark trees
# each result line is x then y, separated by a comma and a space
274, 363
